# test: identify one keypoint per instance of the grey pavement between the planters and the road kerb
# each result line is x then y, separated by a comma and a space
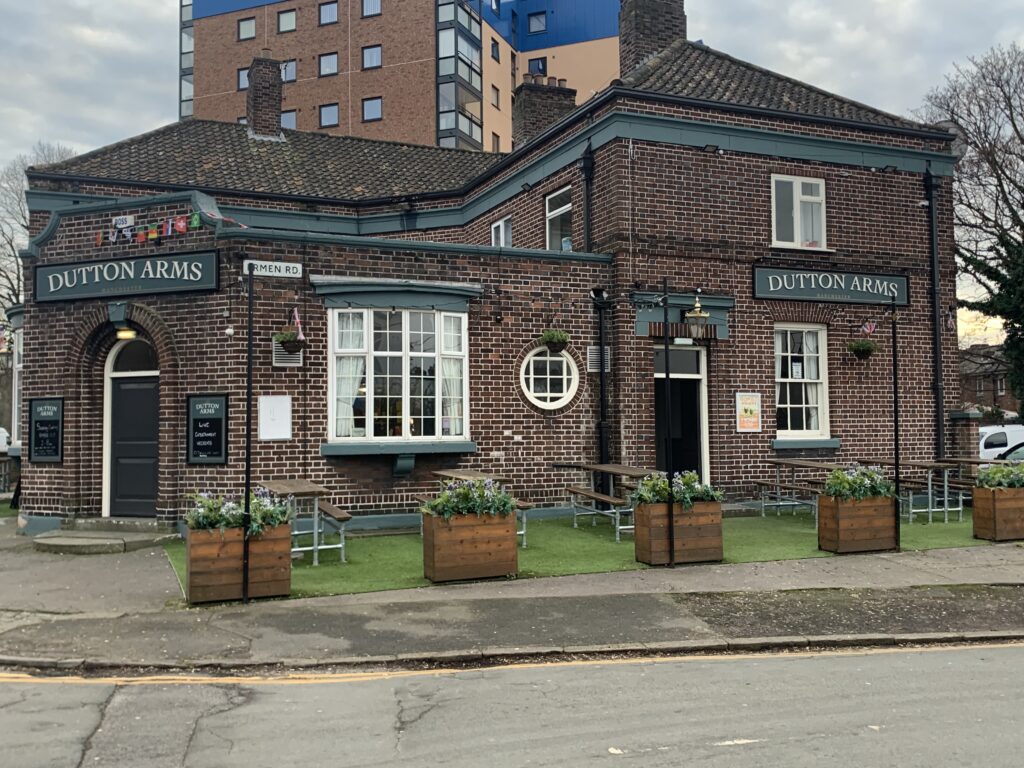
125, 611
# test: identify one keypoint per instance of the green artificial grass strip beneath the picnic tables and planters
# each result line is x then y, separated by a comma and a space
396, 563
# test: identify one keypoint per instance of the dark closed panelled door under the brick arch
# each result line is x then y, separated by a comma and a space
135, 431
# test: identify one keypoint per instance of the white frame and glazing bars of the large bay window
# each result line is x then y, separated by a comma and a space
367, 351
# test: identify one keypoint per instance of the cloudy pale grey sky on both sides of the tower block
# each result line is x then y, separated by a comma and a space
87, 73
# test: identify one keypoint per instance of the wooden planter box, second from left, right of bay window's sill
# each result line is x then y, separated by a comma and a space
470, 547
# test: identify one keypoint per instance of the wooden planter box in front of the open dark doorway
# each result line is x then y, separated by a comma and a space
698, 533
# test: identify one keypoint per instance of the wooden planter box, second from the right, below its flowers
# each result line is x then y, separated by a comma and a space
857, 526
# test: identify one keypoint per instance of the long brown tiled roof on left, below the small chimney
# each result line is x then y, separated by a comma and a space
223, 156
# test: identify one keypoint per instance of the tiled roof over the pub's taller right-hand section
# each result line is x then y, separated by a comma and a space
695, 71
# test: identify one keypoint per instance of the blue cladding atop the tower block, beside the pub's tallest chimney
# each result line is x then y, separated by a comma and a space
569, 21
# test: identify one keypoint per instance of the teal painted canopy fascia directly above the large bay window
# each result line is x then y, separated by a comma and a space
356, 293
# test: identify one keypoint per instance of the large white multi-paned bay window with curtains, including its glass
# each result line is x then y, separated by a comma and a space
399, 375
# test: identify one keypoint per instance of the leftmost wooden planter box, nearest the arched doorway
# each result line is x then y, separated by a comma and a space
215, 568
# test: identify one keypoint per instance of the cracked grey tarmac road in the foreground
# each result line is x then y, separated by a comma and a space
934, 708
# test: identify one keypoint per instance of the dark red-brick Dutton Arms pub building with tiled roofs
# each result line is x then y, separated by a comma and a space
423, 279
